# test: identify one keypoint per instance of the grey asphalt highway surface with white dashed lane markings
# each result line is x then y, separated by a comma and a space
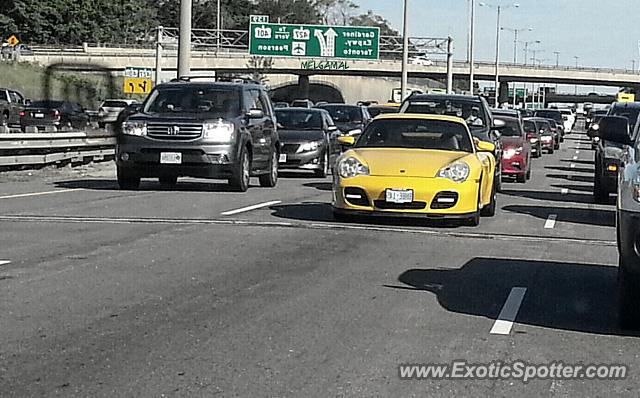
204, 292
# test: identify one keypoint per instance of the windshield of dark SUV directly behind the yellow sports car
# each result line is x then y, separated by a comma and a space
467, 110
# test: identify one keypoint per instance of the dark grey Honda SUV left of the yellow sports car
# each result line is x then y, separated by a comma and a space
218, 130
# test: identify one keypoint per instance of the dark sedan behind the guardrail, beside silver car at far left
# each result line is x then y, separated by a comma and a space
53, 116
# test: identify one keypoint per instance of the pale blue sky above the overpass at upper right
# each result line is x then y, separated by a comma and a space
601, 33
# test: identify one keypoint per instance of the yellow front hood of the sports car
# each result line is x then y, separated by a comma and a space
424, 163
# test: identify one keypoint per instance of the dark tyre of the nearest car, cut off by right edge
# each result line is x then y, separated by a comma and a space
628, 297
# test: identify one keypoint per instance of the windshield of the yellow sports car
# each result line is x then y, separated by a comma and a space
416, 134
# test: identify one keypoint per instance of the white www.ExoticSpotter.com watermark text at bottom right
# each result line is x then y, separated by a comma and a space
517, 370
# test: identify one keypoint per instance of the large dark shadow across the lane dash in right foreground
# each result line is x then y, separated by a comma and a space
563, 296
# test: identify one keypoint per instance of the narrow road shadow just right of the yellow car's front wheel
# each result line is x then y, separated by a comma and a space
599, 217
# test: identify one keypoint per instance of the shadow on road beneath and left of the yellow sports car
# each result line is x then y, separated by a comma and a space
323, 212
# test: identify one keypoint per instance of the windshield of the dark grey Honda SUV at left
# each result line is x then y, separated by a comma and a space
199, 100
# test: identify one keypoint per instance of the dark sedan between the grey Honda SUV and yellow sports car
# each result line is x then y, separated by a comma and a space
308, 138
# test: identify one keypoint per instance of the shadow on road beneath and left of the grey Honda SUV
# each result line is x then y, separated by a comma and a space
147, 185
